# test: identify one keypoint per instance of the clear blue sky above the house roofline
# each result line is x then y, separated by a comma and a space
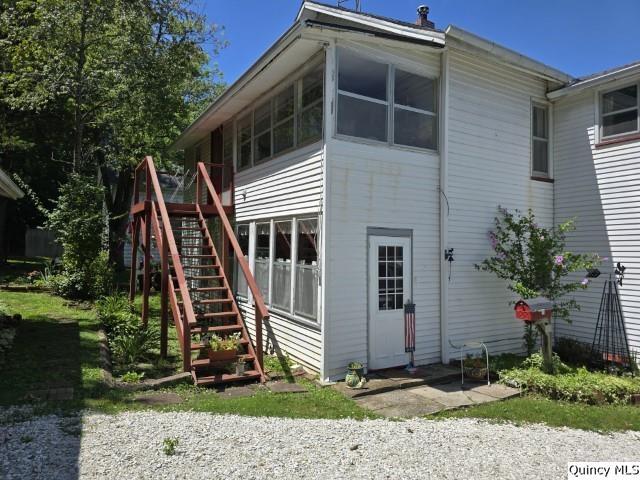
579, 37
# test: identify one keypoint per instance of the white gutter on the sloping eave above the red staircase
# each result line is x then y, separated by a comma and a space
281, 45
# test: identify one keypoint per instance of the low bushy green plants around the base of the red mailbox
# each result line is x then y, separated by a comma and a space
571, 384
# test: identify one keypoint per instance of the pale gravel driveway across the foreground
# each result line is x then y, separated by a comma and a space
129, 446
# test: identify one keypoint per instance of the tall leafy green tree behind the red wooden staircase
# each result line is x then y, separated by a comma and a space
129, 75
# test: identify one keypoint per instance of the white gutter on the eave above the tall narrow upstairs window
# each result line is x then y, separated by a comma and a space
509, 56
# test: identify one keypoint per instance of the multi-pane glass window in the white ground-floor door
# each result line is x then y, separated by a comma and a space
390, 277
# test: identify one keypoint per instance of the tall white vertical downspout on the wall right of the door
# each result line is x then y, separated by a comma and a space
444, 204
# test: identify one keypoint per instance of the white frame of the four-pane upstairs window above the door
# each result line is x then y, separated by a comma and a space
390, 102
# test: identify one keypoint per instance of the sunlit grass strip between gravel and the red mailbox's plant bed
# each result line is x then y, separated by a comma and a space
531, 409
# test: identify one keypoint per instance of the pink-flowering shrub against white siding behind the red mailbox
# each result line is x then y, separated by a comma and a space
534, 260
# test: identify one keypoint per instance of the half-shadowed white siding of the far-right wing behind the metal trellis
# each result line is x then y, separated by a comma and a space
598, 187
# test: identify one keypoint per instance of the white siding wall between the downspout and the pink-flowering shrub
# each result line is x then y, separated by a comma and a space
489, 160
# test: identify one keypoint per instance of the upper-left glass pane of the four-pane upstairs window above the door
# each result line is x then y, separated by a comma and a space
361, 76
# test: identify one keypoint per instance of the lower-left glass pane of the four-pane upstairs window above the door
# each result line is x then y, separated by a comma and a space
362, 118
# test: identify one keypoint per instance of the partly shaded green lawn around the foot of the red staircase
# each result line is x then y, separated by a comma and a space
51, 352
